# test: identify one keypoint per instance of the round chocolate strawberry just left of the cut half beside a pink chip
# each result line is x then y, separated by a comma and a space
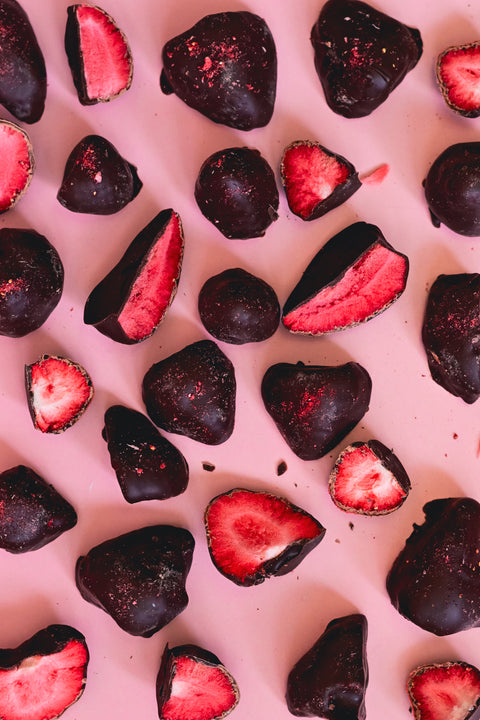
236, 191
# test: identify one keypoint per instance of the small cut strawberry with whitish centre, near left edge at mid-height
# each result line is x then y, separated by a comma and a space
58, 392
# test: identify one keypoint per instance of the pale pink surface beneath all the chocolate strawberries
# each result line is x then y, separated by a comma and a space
257, 632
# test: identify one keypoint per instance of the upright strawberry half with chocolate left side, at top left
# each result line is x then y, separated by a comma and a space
98, 54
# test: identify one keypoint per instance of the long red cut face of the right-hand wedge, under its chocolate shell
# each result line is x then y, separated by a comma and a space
368, 287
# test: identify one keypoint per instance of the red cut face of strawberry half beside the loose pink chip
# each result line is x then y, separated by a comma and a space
310, 176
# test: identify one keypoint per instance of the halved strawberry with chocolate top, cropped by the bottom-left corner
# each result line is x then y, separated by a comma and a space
43, 676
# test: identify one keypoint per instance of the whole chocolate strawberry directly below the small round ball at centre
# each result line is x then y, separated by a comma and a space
192, 393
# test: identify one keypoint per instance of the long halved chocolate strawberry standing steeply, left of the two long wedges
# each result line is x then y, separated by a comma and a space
133, 298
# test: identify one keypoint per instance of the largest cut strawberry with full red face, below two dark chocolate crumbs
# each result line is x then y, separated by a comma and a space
254, 535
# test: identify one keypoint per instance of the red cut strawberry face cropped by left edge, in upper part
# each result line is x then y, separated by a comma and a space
16, 164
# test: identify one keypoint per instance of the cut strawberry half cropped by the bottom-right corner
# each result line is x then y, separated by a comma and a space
447, 691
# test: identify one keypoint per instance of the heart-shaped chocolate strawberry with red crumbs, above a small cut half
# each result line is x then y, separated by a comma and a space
315, 406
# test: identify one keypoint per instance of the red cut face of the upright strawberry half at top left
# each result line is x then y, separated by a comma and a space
105, 55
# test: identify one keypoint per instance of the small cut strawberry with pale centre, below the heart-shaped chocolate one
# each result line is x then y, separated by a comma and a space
368, 479
